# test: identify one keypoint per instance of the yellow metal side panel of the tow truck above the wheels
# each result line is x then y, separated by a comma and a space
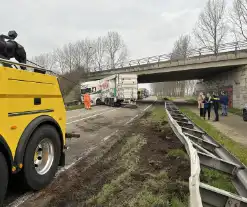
18, 89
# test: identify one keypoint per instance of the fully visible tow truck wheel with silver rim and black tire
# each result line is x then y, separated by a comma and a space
42, 157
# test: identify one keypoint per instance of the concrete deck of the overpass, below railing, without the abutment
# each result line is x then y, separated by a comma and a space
197, 67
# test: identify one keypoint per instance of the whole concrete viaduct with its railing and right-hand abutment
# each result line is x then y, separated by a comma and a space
225, 70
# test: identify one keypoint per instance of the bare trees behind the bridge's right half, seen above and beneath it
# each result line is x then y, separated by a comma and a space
215, 25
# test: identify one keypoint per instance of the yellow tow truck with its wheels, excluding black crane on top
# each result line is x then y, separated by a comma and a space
32, 125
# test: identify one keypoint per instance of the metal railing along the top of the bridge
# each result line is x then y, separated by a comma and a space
193, 53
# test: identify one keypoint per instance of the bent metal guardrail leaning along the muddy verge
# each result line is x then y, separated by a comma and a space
203, 150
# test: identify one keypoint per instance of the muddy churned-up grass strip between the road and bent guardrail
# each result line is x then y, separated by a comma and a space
143, 165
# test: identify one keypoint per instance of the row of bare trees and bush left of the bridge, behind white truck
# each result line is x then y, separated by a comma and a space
75, 60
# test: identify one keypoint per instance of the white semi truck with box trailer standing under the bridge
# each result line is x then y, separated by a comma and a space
113, 90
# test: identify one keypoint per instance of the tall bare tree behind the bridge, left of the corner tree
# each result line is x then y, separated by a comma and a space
211, 27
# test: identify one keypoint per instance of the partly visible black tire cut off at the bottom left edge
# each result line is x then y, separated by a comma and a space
4, 177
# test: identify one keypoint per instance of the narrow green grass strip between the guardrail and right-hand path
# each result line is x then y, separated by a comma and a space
239, 150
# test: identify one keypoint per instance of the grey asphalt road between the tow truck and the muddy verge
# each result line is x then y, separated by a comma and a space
94, 126
